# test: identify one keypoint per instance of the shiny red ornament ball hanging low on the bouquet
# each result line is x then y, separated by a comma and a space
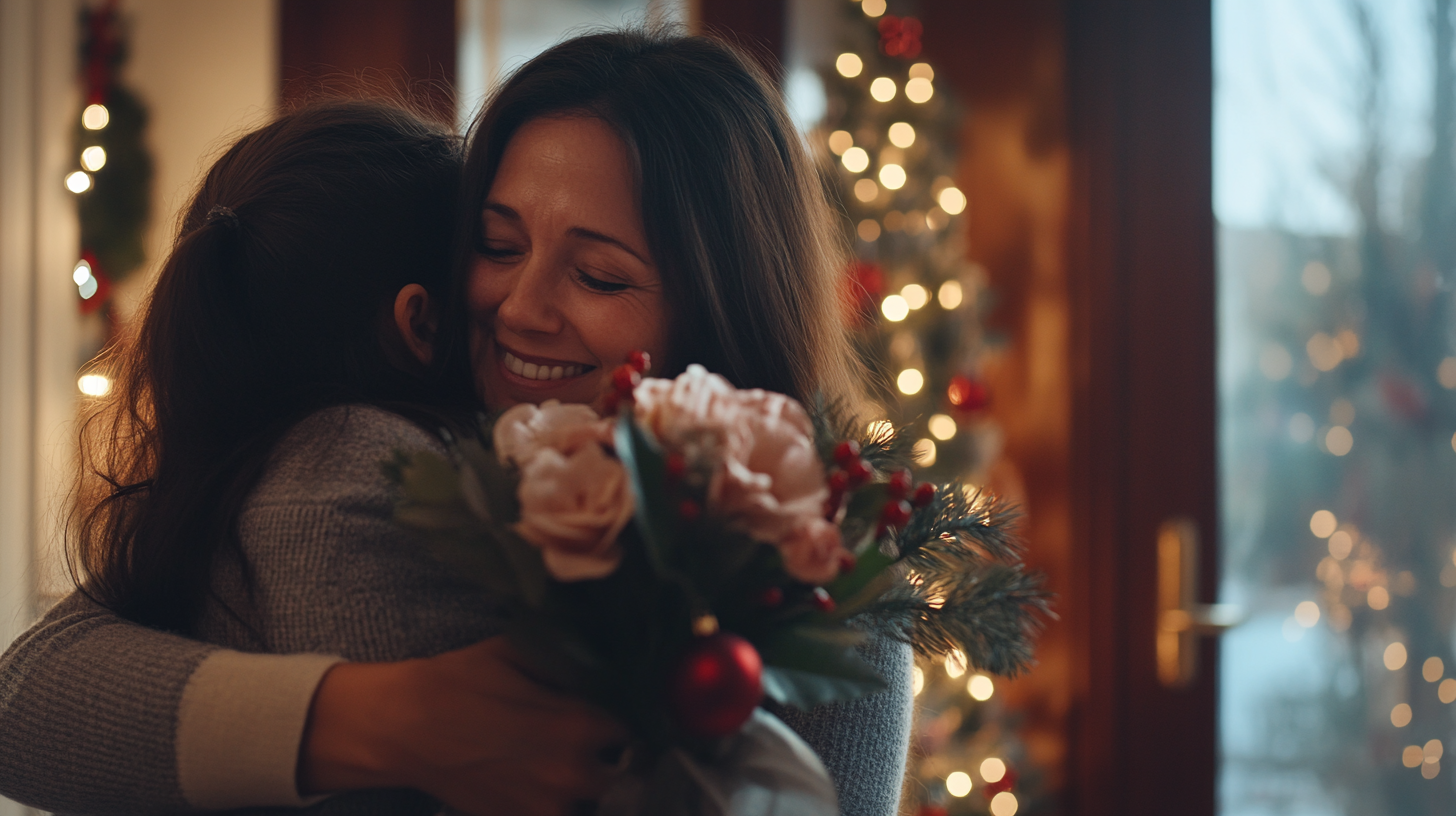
717, 686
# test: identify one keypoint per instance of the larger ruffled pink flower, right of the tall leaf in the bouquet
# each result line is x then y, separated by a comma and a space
771, 482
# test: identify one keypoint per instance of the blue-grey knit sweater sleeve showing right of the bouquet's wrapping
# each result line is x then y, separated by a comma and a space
866, 742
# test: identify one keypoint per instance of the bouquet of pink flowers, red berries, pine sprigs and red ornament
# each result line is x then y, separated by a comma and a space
704, 549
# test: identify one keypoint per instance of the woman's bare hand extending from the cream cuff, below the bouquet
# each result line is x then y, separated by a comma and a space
467, 726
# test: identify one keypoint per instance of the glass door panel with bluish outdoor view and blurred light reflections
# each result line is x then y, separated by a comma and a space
1336, 197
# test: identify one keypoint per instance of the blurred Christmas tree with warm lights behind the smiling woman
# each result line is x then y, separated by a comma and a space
889, 160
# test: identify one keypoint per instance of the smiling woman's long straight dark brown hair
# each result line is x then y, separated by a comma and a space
735, 215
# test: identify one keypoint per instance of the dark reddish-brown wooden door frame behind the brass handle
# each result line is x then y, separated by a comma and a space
1142, 278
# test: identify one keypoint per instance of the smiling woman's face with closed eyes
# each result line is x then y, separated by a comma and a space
563, 286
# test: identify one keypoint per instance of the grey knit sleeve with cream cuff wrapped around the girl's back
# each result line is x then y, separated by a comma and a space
92, 709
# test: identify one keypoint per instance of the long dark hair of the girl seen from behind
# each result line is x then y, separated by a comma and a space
277, 301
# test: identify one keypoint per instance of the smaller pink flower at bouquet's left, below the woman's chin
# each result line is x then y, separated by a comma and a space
576, 498
